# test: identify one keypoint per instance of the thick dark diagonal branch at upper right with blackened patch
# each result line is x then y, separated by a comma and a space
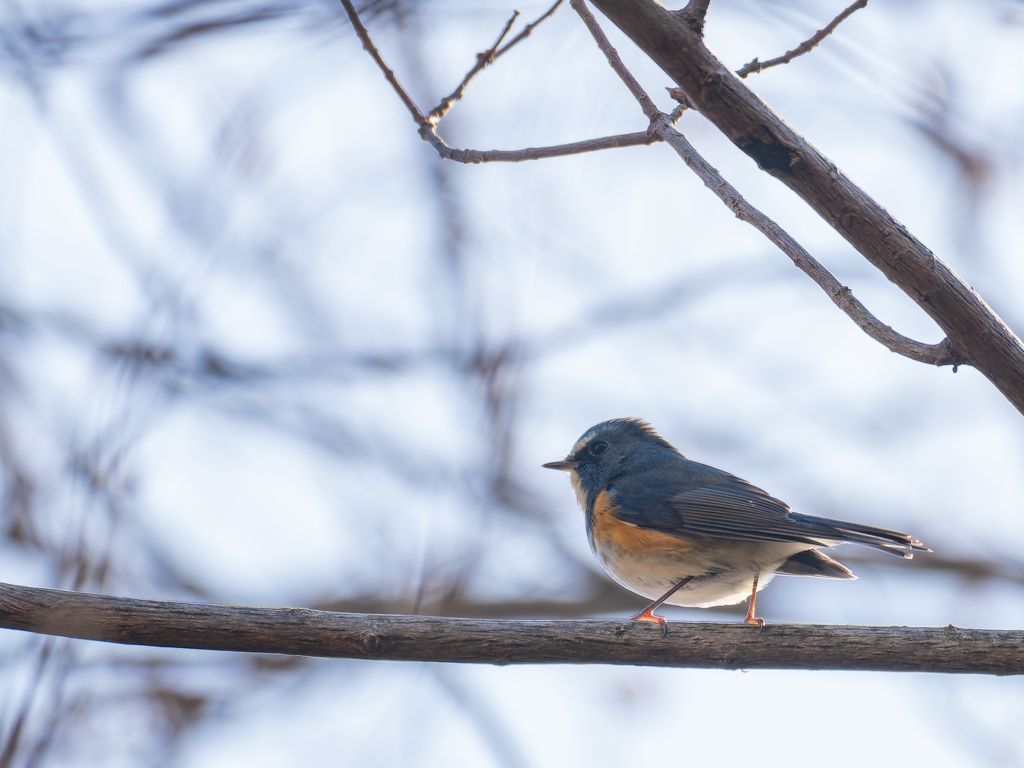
979, 334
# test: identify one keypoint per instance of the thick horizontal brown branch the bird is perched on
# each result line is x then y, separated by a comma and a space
314, 633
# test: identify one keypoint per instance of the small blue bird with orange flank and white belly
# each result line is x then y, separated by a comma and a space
686, 534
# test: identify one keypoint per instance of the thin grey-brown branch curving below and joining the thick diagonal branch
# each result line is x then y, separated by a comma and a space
938, 355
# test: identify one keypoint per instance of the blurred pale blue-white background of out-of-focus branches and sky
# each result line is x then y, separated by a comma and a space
260, 347
